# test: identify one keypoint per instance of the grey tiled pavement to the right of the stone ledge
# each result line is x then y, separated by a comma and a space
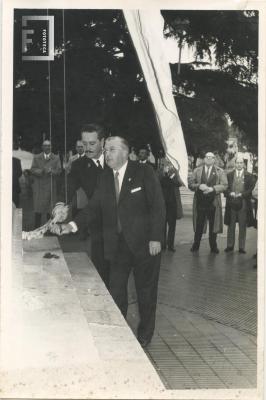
207, 311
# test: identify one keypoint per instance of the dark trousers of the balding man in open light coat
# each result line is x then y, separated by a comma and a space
202, 214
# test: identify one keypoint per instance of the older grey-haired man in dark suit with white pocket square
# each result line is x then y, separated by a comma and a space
129, 198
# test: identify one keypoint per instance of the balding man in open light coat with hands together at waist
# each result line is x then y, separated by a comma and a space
208, 182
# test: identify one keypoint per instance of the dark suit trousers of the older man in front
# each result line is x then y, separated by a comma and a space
146, 274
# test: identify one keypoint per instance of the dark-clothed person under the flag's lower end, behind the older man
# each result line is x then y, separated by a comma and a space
170, 183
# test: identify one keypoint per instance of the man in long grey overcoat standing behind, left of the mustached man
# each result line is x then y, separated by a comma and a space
44, 170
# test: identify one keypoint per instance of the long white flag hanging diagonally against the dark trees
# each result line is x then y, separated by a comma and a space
146, 30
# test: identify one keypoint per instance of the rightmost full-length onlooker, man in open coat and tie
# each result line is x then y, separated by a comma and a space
238, 205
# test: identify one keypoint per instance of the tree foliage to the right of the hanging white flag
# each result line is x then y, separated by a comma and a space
230, 40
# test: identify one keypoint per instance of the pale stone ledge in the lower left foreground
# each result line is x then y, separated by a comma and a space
63, 336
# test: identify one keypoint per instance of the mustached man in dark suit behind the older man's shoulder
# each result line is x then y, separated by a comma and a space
84, 174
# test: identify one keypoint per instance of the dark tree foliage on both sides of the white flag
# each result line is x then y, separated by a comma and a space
104, 82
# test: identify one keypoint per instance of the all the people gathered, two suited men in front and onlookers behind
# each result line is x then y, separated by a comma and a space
130, 202
